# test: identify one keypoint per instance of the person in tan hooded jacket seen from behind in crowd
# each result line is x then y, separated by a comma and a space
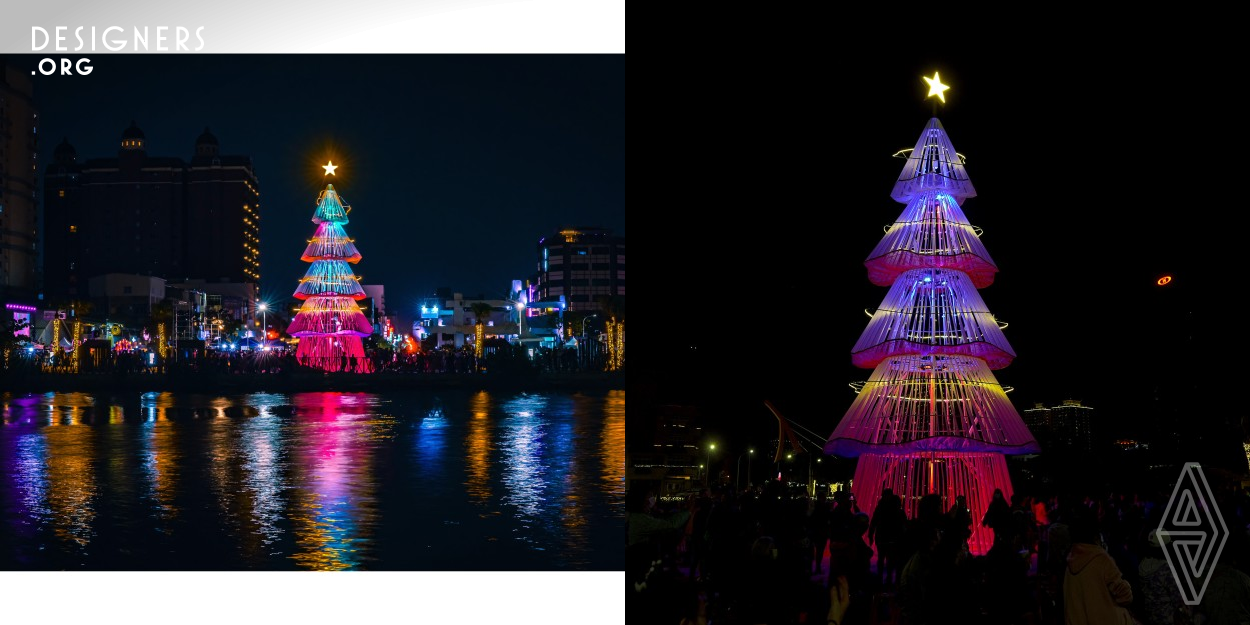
1094, 591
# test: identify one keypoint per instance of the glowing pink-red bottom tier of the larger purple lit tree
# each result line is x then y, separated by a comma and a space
916, 476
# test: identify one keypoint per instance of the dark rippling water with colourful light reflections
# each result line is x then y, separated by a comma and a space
409, 481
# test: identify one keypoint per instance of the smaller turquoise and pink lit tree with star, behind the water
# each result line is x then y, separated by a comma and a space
331, 324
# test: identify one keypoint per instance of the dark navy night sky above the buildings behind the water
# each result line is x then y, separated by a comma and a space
456, 166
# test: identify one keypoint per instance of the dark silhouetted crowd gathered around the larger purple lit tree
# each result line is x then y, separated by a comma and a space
769, 556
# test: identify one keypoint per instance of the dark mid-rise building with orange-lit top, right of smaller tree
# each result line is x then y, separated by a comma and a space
581, 264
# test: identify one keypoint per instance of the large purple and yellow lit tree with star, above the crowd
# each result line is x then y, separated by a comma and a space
933, 418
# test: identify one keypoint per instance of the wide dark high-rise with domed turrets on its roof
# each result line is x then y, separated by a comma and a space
149, 216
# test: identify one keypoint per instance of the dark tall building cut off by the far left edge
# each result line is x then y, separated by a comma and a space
18, 183
